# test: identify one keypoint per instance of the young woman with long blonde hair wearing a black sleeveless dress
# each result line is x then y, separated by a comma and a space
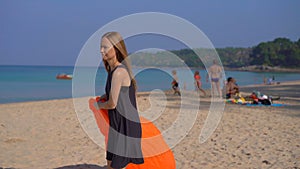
124, 138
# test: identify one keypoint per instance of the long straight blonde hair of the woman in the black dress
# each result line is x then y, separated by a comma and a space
122, 56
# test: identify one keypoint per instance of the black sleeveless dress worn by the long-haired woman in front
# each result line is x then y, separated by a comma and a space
125, 132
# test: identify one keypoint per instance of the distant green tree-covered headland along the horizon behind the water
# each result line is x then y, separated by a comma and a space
280, 52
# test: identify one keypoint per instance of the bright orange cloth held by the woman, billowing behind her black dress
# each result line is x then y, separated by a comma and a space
156, 152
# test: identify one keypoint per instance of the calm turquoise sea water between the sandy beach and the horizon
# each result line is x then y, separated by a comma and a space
30, 83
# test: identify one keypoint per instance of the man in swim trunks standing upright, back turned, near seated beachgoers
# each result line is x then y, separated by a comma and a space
214, 73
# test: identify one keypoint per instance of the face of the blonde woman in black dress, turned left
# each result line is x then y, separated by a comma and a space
107, 50
